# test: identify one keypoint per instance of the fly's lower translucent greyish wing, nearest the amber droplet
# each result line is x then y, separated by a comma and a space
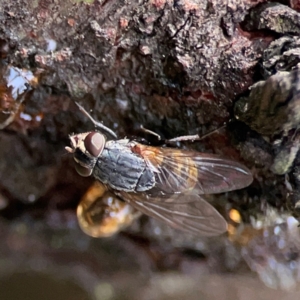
193, 215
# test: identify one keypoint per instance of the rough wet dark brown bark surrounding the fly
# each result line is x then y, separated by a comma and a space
177, 68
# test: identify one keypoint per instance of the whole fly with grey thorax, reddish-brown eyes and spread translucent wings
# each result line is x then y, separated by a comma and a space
163, 183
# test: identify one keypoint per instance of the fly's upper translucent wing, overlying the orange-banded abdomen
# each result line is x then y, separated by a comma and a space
181, 171
